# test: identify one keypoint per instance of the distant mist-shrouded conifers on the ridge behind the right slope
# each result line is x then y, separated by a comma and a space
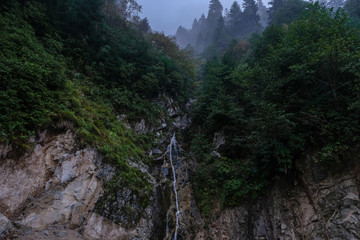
210, 35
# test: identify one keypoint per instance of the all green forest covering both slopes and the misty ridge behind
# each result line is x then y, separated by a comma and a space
278, 83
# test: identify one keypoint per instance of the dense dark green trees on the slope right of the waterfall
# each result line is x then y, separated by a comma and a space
292, 91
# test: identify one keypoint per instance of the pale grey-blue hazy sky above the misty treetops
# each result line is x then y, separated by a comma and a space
168, 15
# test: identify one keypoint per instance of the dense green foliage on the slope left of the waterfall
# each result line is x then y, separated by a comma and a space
79, 65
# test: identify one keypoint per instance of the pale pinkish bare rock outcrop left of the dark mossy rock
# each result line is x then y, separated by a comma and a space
50, 192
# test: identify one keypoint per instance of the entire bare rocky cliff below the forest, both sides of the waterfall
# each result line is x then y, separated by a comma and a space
55, 188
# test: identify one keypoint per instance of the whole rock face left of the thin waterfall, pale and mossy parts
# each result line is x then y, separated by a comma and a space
53, 189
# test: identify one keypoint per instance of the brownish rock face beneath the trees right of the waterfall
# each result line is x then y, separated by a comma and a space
320, 207
